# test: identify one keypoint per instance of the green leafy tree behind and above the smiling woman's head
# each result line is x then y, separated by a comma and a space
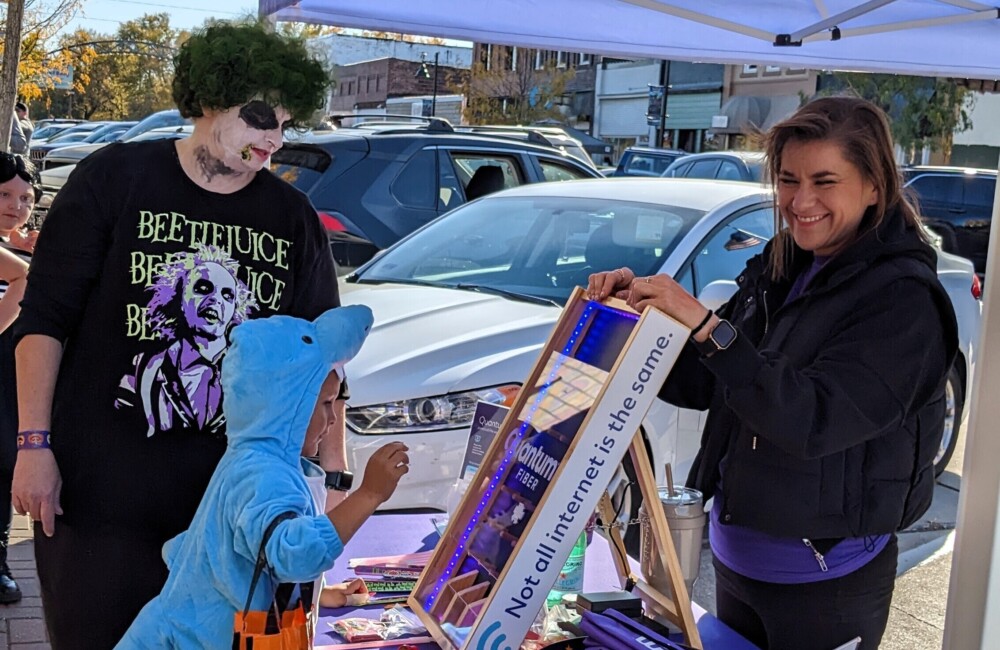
924, 111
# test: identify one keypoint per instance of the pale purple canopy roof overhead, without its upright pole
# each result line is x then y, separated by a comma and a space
954, 38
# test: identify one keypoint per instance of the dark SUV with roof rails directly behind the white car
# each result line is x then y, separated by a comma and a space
373, 185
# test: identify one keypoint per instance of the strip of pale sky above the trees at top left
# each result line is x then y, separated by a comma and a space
106, 15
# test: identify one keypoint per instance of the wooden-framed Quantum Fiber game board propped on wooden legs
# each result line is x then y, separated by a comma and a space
545, 473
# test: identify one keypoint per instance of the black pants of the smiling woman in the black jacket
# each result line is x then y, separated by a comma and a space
812, 616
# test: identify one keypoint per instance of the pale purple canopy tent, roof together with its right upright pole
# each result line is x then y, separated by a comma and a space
951, 38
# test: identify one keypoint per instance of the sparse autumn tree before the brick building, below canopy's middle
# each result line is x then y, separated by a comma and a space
497, 94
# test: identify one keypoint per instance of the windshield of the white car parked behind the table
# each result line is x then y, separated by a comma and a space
537, 247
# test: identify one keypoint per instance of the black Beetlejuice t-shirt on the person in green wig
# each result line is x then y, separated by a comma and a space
143, 274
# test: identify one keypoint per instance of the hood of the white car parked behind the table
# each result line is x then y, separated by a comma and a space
431, 341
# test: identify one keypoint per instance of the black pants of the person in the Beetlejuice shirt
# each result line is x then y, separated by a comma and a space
94, 583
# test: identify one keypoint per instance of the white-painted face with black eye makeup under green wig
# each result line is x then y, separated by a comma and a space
246, 136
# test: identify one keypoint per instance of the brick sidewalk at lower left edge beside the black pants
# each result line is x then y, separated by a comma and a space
21, 624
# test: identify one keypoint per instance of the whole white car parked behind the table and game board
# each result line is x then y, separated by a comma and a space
464, 305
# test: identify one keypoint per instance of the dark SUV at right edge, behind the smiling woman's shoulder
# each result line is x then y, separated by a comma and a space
958, 204
